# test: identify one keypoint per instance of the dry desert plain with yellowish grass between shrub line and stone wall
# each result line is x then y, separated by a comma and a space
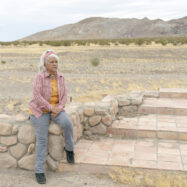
121, 69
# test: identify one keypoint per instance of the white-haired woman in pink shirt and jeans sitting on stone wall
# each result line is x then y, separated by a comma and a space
48, 103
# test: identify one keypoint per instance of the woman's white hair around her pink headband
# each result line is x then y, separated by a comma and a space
42, 59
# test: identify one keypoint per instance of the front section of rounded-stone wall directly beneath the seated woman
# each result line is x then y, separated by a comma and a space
17, 141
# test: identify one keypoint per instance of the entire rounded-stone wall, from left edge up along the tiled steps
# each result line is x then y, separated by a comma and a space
17, 137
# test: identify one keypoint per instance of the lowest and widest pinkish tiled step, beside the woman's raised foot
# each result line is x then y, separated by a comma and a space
144, 153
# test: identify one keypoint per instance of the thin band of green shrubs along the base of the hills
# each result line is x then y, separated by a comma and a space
126, 41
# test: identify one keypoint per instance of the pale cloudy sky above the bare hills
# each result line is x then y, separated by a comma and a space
21, 18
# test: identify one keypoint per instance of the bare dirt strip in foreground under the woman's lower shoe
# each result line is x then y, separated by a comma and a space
23, 178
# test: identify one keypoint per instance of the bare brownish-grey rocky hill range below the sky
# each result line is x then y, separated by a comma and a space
113, 28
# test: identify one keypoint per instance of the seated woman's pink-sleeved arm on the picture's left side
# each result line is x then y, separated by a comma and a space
37, 89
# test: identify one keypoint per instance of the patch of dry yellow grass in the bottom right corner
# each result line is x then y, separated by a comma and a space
148, 178
